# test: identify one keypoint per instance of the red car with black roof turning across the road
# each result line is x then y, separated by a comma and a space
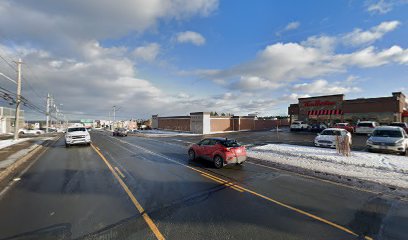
221, 151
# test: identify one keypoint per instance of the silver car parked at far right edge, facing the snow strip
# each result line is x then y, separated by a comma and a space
388, 139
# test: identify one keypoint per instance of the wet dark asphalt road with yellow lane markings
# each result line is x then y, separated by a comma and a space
145, 188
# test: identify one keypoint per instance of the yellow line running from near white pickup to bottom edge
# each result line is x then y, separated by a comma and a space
139, 207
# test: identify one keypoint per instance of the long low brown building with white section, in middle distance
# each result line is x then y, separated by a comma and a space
204, 123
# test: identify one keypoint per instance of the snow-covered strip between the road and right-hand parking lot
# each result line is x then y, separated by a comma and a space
381, 168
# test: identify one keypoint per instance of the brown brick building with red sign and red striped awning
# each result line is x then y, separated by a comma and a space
334, 108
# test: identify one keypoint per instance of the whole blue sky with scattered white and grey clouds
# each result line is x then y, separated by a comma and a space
173, 57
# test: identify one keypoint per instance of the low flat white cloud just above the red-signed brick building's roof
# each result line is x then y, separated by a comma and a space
323, 87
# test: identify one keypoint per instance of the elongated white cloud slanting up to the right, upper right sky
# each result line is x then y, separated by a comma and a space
360, 37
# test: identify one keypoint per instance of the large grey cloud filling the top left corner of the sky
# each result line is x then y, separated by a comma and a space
73, 23
